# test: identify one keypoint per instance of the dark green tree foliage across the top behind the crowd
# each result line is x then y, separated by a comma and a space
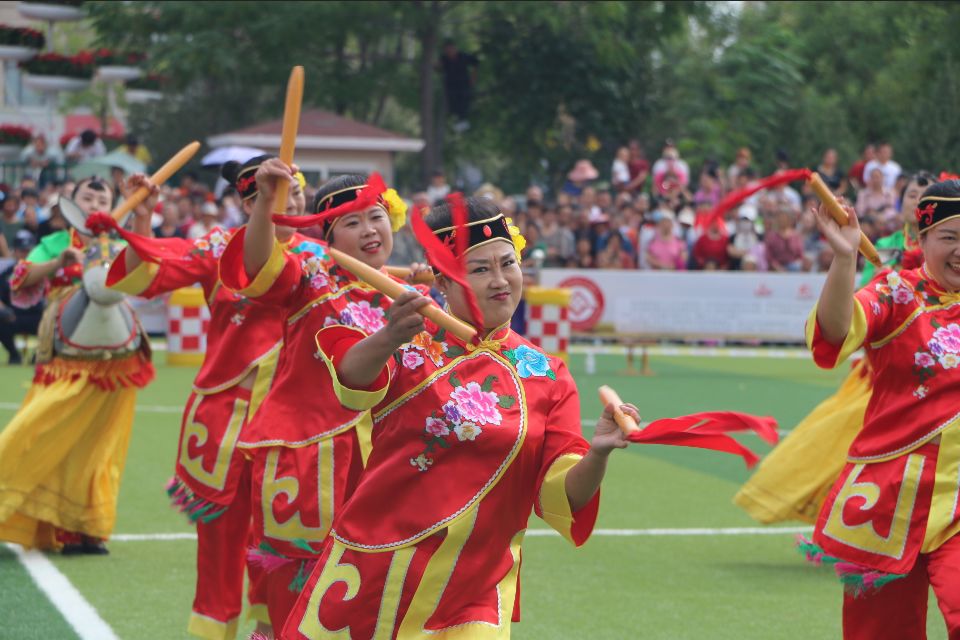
564, 80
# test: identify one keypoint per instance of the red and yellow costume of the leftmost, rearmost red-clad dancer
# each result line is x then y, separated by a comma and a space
212, 481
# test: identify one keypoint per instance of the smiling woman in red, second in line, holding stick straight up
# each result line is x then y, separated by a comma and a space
307, 450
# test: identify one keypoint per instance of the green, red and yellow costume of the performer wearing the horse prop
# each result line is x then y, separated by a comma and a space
63, 453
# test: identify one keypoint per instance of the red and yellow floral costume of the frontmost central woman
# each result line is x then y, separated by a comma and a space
468, 440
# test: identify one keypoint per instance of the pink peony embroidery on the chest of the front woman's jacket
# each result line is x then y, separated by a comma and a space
470, 406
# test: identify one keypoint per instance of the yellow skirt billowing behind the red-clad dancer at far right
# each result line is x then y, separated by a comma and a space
793, 480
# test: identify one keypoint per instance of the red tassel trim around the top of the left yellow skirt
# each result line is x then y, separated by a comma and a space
109, 375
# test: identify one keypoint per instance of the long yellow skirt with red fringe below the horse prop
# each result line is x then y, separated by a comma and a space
62, 455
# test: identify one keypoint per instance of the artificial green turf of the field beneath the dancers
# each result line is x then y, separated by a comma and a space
740, 587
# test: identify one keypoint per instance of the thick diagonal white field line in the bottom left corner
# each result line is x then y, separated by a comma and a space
78, 613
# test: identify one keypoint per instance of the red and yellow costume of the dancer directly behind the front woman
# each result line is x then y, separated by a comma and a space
307, 450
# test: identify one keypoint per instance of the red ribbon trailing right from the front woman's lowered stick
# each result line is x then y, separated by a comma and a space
709, 430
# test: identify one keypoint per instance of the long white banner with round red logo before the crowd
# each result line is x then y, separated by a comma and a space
694, 304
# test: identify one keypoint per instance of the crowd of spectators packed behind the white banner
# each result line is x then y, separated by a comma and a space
658, 215
